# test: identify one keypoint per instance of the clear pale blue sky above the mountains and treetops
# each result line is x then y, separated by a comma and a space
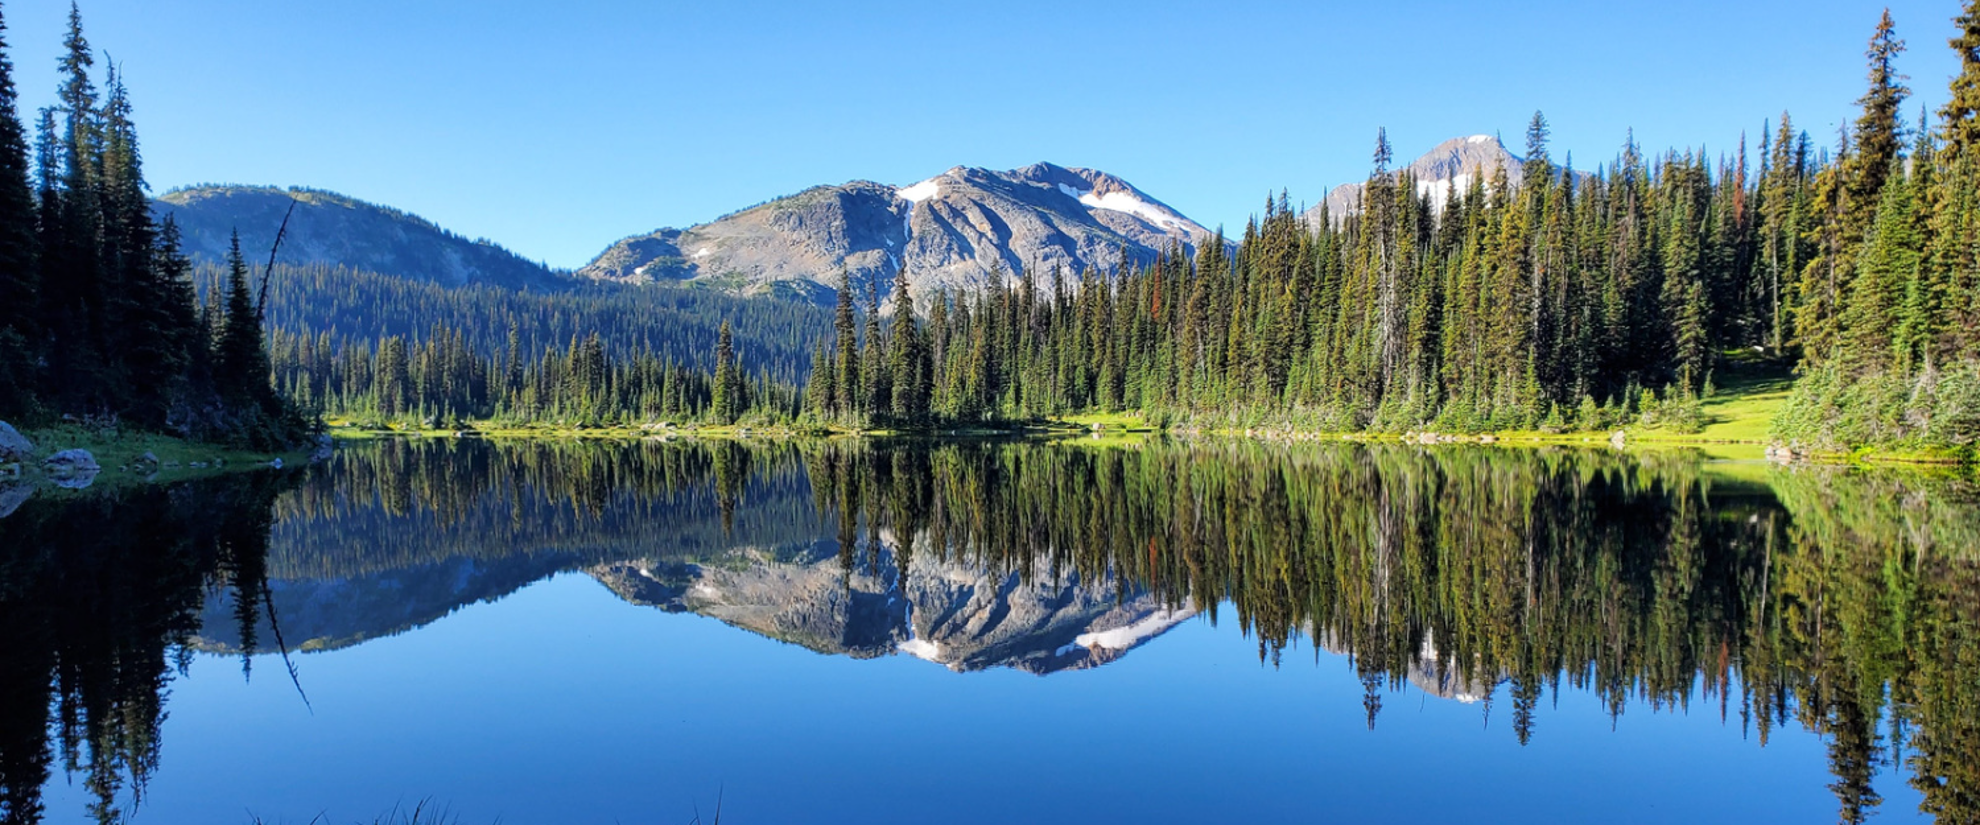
559, 128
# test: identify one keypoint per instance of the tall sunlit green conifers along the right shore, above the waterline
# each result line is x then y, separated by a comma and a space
1565, 302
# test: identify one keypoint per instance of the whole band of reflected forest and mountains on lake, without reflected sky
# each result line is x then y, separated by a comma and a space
1842, 602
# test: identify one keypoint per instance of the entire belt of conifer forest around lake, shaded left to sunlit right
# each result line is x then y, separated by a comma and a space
1575, 300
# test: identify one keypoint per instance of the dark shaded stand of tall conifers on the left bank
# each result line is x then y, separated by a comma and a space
98, 314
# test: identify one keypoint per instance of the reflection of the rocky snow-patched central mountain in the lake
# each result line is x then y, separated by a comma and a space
943, 612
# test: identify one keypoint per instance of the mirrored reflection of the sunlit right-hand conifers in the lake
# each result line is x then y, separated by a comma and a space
1842, 604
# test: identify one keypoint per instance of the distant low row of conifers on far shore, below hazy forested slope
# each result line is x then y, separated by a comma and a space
445, 381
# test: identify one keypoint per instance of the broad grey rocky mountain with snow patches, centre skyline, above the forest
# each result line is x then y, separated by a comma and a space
951, 232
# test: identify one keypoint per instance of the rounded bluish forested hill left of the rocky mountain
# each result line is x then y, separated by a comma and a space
338, 230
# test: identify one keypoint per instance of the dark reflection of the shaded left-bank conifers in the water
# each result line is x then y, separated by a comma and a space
100, 600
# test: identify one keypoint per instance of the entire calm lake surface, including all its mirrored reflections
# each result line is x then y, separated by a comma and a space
995, 634
